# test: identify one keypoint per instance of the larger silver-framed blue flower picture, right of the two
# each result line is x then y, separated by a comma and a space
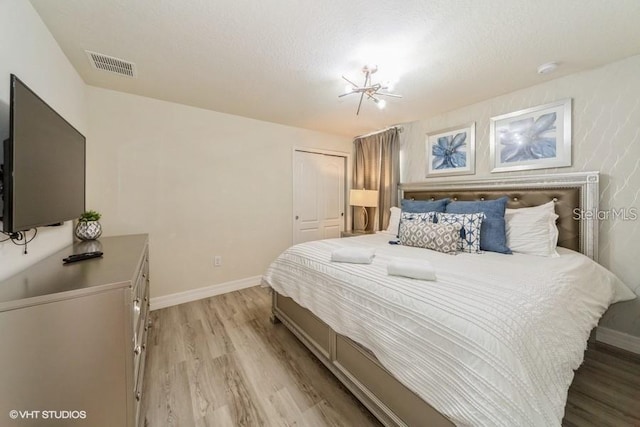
535, 138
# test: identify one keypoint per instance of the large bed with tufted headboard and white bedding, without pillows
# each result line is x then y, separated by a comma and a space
461, 350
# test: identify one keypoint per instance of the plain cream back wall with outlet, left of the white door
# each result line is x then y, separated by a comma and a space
200, 183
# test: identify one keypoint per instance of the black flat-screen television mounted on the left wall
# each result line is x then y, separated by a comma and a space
44, 164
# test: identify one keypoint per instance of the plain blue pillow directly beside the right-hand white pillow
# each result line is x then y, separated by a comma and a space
493, 236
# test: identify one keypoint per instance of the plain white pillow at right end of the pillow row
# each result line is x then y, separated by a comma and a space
533, 230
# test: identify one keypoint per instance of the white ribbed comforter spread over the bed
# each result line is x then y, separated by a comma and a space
493, 342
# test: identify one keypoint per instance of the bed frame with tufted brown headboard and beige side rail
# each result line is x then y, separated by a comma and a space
358, 369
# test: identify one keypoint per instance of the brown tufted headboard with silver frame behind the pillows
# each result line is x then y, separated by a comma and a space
573, 194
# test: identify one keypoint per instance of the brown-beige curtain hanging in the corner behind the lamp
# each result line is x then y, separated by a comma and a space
377, 167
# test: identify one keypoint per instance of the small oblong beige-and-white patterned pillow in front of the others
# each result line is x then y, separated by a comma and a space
438, 237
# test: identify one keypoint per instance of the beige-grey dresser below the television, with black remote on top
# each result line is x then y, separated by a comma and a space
73, 337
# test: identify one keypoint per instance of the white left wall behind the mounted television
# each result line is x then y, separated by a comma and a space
28, 50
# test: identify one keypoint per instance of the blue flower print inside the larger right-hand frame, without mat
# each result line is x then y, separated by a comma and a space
528, 139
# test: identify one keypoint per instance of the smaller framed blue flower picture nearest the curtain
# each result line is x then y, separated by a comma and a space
452, 151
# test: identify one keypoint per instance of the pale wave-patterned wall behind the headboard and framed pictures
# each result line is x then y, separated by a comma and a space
606, 137
